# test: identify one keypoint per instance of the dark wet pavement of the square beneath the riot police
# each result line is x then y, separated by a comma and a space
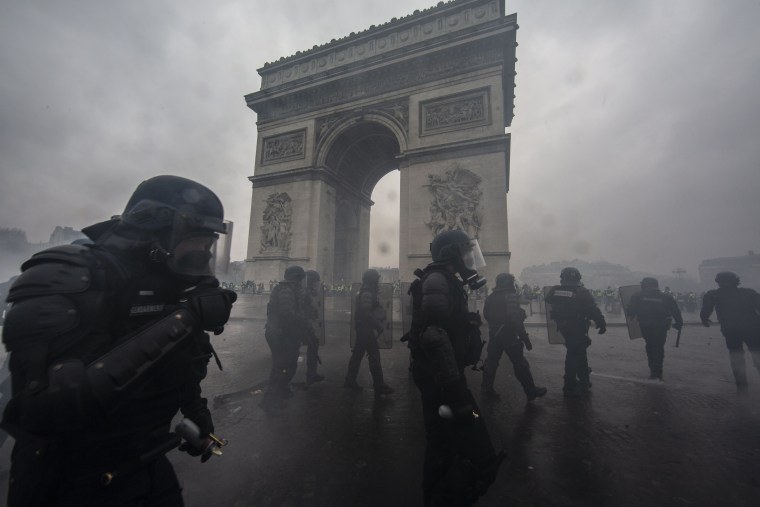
630, 442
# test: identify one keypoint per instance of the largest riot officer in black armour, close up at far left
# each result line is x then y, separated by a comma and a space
107, 343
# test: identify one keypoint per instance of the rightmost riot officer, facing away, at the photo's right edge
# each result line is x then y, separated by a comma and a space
738, 311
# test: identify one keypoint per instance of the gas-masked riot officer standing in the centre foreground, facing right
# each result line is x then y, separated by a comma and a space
460, 461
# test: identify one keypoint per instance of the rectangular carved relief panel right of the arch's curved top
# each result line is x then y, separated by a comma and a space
460, 111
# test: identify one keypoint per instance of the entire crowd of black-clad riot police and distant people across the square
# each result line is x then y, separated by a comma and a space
109, 340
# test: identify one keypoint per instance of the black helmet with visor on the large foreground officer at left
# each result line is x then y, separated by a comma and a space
182, 219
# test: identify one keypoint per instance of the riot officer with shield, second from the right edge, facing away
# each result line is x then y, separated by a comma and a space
654, 310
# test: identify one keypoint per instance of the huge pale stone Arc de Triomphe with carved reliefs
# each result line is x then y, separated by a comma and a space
429, 95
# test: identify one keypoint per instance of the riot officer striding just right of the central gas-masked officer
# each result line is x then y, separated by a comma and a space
506, 330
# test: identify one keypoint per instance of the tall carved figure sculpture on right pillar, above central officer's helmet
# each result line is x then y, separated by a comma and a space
455, 203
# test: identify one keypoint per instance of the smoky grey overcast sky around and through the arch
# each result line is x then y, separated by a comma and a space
636, 138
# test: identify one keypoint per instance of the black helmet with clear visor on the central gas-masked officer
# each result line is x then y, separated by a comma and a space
463, 253
